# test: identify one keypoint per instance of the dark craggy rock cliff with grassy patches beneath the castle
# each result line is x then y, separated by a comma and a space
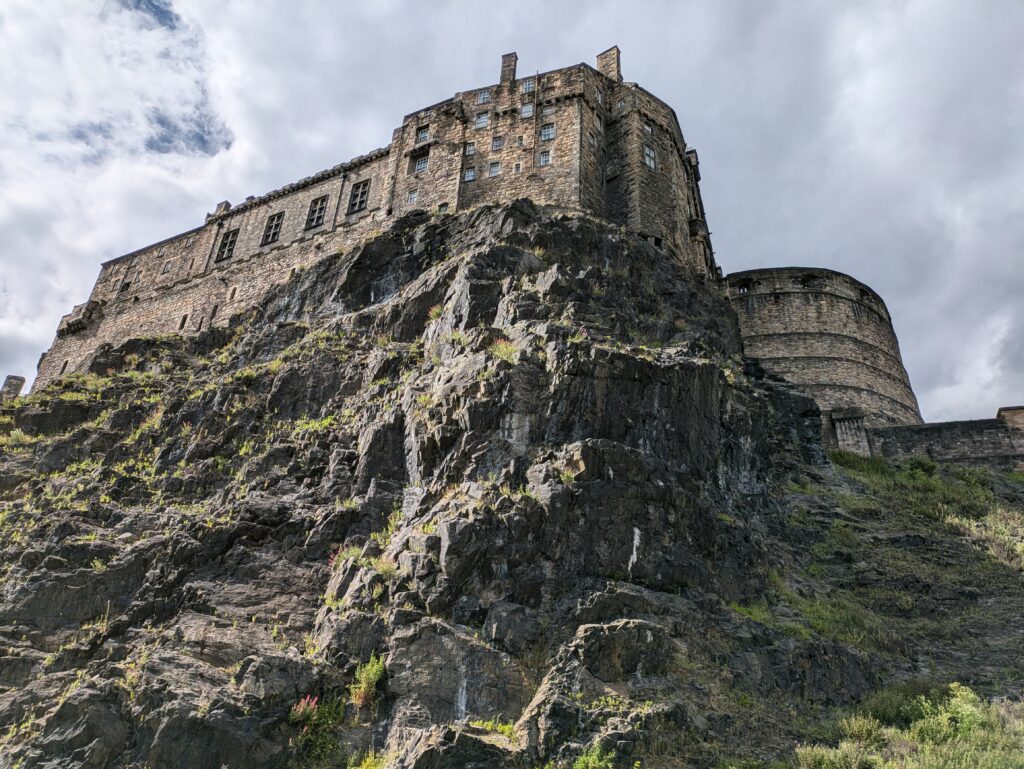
493, 490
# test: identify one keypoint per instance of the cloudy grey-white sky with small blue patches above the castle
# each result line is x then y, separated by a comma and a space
882, 139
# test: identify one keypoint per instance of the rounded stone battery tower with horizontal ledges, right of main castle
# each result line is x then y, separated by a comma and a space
830, 335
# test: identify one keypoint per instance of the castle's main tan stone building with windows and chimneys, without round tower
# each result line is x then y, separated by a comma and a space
577, 138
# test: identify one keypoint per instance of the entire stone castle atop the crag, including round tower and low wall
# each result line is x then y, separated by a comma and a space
578, 138
